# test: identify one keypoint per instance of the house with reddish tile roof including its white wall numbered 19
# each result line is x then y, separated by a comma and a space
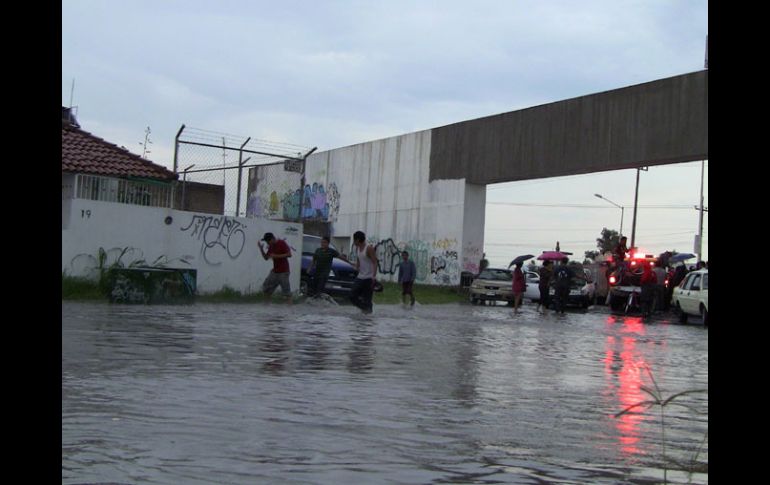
128, 209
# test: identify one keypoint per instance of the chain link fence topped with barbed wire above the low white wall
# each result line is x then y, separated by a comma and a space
256, 178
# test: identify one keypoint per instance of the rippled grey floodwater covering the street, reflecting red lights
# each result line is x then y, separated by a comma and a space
317, 393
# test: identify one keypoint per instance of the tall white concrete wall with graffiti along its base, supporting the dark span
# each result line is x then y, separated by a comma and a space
382, 188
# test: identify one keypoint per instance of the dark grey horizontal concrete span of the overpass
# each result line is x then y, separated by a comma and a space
659, 122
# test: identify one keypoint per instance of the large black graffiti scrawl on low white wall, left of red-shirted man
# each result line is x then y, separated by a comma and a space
220, 236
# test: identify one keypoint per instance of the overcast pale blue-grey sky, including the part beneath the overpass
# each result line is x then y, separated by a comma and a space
329, 74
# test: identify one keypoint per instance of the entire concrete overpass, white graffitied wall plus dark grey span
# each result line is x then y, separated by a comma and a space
426, 191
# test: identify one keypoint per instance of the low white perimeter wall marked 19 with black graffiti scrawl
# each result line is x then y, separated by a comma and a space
222, 249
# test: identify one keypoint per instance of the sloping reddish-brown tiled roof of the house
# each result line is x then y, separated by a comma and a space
82, 152
